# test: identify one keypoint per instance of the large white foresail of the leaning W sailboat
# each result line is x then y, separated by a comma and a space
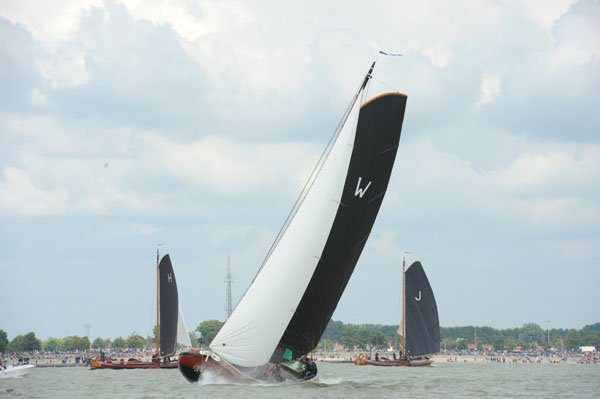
254, 329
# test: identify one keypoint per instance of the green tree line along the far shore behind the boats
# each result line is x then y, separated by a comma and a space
362, 336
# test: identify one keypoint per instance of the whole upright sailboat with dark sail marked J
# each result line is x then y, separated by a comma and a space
420, 326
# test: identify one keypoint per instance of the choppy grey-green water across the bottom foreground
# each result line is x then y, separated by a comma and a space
336, 381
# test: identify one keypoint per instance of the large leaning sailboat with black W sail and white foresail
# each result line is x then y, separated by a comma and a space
284, 312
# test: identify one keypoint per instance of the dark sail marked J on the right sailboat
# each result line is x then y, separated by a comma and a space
422, 324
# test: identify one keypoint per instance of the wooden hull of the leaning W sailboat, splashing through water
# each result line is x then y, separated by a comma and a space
195, 365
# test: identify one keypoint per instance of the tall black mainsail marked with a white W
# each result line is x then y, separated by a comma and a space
375, 145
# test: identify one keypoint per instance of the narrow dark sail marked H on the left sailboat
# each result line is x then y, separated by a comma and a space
169, 307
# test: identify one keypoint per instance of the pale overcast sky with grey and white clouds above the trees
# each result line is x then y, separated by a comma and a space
125, 124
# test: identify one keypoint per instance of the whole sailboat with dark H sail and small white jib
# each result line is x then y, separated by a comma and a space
170, 325
